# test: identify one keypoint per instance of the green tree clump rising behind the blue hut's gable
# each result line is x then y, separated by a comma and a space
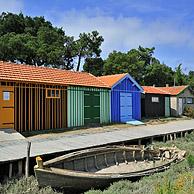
141, 64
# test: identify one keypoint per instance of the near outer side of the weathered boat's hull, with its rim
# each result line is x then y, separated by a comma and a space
60, 178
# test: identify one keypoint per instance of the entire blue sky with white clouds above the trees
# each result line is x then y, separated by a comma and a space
124, 24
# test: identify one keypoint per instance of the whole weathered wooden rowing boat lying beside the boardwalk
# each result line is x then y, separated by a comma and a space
98, 167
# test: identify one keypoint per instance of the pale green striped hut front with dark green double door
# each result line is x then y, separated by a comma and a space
86, 105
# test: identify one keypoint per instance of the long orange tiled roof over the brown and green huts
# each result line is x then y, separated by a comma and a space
27, 73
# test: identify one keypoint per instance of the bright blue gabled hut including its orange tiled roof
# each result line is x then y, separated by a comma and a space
125, 97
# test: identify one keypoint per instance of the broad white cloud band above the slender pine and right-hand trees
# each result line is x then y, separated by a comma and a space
124, 33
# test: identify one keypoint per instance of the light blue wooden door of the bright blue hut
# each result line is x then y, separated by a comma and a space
126, 110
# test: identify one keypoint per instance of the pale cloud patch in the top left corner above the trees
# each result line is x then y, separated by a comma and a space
14, 6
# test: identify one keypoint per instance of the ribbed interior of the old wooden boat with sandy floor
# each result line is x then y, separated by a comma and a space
111, 160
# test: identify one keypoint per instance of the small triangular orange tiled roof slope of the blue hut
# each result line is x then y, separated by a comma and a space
110, 80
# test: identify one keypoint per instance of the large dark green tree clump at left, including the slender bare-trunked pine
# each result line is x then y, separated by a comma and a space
35, 41
